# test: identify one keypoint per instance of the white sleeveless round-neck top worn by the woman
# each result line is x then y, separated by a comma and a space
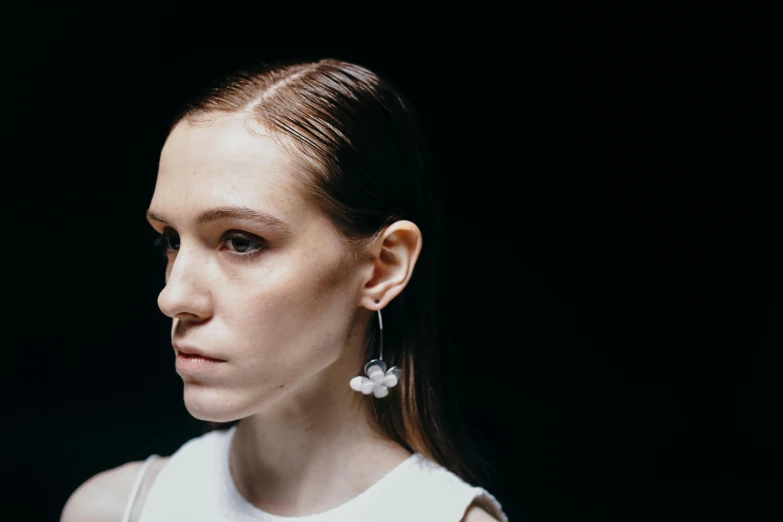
196, 485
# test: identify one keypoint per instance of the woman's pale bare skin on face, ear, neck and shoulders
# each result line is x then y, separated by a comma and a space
285, 306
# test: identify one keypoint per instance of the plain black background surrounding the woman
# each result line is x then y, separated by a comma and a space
614, 233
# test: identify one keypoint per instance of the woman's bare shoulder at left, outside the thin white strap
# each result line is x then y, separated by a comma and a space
103, 497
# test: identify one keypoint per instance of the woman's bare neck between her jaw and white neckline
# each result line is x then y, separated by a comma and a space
285, 460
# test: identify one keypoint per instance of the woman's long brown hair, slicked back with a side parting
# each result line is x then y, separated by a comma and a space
366, 164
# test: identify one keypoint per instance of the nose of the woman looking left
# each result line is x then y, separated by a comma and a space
185, 293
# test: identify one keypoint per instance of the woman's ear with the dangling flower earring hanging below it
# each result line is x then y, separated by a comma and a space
390, 264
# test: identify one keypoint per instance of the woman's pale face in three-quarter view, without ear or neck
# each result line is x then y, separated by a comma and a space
276, 298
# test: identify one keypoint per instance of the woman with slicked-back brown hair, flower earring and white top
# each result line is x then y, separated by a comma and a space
293, 204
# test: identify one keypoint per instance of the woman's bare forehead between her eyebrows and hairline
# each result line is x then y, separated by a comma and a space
219, 162
